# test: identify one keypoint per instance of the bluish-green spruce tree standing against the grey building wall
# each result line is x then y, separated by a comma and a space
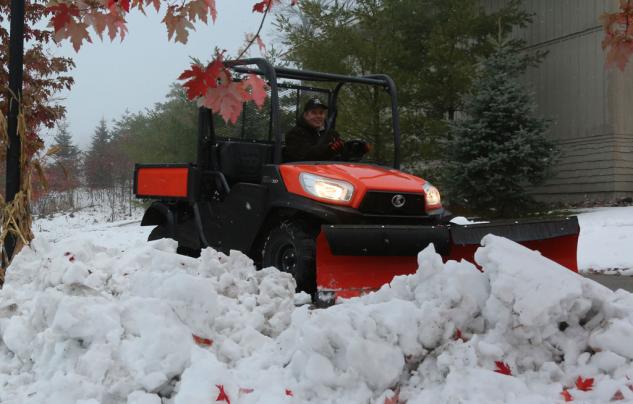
500, 147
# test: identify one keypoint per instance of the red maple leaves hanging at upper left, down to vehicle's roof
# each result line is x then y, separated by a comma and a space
211, 86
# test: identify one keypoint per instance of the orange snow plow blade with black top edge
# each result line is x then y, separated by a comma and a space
356, 259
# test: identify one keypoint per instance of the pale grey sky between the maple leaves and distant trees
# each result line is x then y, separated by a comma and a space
111, 77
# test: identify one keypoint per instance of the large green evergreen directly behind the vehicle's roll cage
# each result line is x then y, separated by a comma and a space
429, 47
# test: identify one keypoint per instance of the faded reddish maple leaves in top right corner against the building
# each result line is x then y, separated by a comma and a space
618, 39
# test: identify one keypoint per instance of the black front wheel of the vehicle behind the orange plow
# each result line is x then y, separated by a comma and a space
291, 247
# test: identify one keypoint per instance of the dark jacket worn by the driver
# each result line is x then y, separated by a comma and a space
305, 143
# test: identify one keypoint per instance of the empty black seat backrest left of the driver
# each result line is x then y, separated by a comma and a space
243, 161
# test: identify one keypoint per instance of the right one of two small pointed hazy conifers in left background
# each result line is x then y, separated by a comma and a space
98, 161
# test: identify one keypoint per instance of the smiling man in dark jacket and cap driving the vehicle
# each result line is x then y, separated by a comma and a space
308, 140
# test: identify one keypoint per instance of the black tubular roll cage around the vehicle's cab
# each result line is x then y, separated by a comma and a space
272, 74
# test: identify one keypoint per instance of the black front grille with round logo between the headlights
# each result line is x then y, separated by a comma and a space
381, 203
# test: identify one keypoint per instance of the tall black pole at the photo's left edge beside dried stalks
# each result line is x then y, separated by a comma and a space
16, 56
